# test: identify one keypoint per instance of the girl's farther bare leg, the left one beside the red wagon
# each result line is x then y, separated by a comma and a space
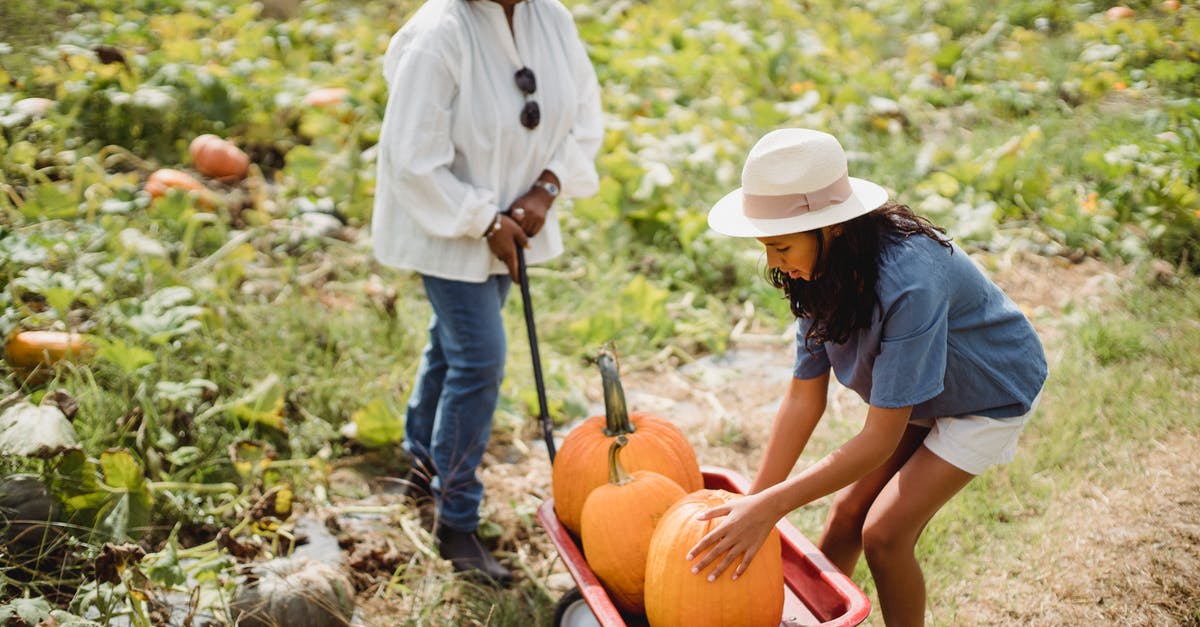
842, 540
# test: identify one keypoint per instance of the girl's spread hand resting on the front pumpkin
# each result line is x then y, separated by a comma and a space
739, 539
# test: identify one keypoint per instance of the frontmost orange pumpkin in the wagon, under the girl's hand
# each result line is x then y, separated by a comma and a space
677, 598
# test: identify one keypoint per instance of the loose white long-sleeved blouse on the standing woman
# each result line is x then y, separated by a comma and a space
453, 151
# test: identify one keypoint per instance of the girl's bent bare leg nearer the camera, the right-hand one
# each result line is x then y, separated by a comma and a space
895, 524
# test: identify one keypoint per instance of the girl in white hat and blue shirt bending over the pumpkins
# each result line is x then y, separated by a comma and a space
949, 365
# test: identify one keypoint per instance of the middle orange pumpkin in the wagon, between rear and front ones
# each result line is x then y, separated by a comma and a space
619, 521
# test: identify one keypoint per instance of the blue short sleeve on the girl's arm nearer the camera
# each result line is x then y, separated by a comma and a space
911, 366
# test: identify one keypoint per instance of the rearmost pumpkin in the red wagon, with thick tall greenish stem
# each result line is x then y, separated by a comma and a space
655, 445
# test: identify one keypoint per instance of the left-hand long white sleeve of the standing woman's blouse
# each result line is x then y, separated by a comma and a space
417, 151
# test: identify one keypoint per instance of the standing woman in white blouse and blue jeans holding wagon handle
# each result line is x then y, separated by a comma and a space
494, 114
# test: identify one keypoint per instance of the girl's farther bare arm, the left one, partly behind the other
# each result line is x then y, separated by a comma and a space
799, 414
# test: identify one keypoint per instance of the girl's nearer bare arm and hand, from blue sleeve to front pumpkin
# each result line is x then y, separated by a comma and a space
749, 521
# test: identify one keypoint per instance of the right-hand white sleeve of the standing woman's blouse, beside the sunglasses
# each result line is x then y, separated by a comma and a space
574, 160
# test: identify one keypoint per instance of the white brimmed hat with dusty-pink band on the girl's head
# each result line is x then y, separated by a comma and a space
794, 181
